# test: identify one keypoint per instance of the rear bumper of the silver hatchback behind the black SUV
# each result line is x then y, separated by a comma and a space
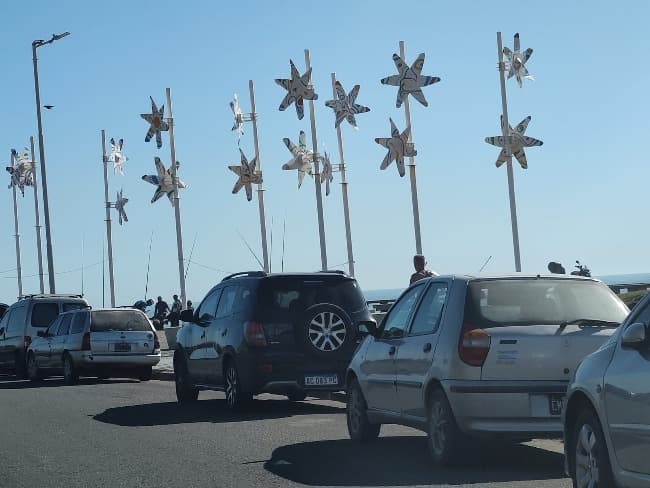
517, 408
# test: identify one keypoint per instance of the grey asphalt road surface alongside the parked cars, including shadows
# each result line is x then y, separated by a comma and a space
131, 434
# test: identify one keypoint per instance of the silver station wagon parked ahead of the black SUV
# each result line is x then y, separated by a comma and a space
103, 343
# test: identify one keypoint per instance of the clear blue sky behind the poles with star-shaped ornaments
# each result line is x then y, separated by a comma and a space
582, 197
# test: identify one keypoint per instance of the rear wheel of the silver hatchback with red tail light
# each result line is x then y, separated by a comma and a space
445, 438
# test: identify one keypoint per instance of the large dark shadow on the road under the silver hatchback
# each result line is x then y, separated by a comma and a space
405, 461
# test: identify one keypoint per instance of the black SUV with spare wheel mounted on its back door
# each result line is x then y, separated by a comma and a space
270, 333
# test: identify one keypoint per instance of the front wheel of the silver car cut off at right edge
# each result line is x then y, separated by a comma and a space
590, 465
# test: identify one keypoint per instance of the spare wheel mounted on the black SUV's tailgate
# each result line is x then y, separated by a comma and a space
326, 331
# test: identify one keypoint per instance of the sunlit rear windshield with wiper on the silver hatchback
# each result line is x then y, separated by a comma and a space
498, 303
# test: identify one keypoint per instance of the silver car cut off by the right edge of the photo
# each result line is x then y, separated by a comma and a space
607, 418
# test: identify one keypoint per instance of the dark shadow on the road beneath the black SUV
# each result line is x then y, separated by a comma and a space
214, 411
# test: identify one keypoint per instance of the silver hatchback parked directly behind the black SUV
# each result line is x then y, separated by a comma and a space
461, 356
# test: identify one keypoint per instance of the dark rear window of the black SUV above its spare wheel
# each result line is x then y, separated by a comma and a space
282, 296
